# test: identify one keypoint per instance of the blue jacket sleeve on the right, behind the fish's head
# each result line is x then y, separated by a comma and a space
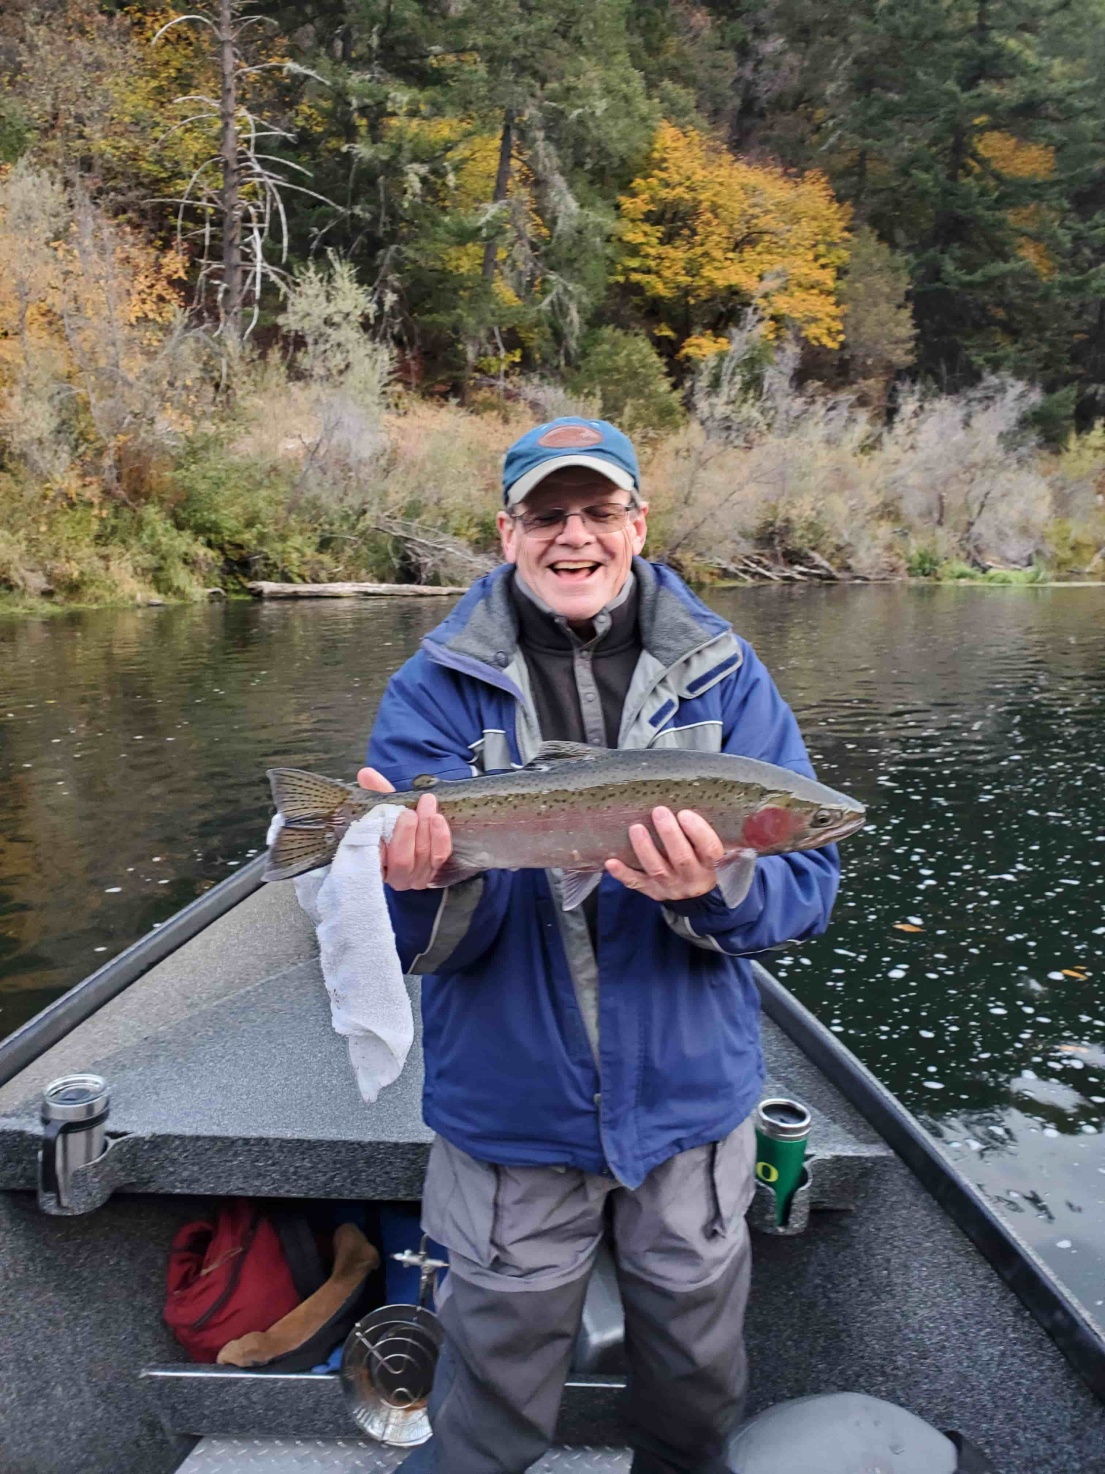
792, 895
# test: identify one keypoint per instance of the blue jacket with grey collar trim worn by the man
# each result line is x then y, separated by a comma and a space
540, 1047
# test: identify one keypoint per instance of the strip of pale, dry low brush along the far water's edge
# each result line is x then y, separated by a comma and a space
298, 483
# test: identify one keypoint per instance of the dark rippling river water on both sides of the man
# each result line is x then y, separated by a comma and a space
964, 963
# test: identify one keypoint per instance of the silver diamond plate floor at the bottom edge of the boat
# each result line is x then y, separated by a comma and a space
354, 1457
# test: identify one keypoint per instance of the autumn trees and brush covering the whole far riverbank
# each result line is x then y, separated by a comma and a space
276, 296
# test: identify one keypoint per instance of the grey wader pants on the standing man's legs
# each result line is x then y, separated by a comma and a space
522, 1245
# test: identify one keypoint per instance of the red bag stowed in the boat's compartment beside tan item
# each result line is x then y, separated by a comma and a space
226, 1280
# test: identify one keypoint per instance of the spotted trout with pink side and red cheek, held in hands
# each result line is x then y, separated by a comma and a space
569, 811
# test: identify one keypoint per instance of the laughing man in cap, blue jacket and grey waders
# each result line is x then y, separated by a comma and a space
589, 1074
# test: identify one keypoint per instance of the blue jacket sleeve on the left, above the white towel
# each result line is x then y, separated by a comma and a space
422, 727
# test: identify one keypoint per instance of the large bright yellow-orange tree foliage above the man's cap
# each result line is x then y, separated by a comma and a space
709, 232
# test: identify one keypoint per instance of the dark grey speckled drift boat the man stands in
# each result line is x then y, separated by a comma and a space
226, 1080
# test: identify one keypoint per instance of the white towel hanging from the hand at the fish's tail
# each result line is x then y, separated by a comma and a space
362, 971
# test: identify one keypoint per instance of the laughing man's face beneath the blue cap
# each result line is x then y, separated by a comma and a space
580, 570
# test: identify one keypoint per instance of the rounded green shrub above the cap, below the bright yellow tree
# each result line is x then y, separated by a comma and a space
627, 375
